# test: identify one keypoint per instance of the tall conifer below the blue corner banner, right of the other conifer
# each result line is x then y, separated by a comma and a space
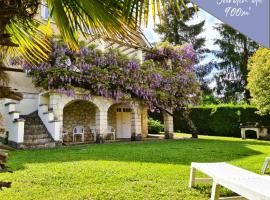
235, 50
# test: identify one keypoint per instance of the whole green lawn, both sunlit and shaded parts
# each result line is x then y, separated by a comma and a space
135, 170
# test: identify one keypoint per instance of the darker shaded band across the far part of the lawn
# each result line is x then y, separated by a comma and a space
170, 152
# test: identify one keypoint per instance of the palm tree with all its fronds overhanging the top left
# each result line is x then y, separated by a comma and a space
23, 36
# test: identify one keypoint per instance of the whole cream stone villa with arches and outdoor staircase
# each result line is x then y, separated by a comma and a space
44, 119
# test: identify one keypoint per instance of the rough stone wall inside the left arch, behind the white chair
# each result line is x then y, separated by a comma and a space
79, 113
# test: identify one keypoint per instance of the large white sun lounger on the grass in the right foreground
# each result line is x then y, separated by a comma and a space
243, 182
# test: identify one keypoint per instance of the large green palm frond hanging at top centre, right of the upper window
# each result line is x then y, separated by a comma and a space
90, 18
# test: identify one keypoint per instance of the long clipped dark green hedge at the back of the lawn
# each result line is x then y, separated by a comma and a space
222, 120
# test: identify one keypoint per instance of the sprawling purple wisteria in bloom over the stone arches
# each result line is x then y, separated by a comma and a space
166, 78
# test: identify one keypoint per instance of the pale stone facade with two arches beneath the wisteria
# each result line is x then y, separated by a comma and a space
98, 112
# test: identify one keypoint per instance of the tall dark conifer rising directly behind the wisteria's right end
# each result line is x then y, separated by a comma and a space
179, 31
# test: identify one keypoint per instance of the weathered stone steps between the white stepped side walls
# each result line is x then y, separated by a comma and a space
36, 136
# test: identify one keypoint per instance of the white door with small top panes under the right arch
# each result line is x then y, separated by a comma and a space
123, 117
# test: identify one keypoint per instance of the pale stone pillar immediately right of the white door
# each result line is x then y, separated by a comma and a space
136, 129
